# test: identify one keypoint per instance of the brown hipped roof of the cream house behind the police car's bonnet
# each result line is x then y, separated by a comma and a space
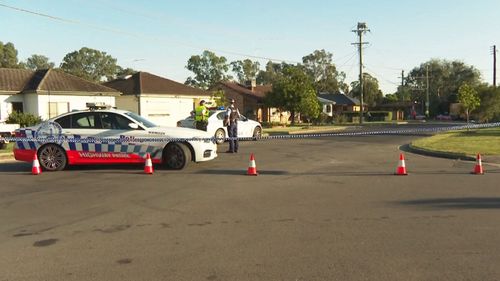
147, 83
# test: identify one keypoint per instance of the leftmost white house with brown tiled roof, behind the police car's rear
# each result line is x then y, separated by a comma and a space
48, 93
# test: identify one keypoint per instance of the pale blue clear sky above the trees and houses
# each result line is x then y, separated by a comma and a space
160, 36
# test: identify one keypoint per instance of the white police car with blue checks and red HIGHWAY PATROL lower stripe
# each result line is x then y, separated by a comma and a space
109, 136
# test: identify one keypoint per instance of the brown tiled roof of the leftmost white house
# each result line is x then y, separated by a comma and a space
47, 80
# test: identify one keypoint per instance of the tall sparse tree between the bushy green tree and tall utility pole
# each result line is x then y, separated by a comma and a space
320, 67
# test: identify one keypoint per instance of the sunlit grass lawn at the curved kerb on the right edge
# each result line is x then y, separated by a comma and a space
484, 141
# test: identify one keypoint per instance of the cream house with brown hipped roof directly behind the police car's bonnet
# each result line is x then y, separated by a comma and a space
161, 100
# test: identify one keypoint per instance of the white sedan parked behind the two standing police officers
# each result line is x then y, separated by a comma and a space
246, 128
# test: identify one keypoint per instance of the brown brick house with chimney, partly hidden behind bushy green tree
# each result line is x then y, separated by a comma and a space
250, 101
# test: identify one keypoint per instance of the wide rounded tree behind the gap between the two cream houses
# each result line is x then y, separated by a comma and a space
90, 64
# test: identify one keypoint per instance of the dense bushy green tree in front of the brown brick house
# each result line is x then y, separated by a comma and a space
294, 91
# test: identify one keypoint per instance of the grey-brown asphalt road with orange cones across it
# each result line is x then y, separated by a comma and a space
320, 209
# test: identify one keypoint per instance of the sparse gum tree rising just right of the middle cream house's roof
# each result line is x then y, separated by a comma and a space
208, 69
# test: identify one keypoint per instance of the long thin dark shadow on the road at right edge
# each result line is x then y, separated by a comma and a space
456, 203
